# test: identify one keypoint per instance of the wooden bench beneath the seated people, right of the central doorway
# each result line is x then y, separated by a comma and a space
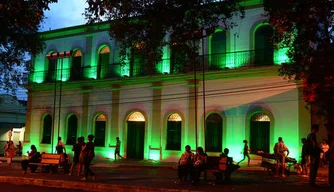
215, 164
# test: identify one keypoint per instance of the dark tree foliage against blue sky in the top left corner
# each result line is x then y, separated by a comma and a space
20, 21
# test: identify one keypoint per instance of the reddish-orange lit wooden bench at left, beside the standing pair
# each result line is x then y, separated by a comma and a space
49, 162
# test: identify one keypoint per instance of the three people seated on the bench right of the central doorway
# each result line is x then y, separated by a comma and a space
191, 165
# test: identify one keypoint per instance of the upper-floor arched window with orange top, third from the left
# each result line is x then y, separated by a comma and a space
103, 62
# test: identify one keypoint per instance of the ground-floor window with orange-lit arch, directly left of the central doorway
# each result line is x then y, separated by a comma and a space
100, 130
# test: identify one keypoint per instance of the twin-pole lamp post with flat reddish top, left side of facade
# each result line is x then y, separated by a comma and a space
56, 56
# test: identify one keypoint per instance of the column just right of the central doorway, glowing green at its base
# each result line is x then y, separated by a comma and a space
157, 127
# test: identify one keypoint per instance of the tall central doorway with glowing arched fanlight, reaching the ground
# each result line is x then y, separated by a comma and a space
136, 136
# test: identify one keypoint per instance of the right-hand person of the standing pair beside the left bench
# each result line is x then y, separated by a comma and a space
88, 156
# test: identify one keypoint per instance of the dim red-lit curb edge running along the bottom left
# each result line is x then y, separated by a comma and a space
87, 186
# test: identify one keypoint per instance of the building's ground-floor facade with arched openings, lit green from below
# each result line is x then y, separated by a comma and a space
156, 119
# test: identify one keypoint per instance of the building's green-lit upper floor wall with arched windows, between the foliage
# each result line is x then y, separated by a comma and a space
96, 56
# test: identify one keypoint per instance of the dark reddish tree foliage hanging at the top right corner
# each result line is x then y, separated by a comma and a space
306, 28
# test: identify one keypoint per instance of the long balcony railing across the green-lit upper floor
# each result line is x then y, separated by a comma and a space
165, 66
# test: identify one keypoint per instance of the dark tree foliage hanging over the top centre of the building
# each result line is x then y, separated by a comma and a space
142, 26
